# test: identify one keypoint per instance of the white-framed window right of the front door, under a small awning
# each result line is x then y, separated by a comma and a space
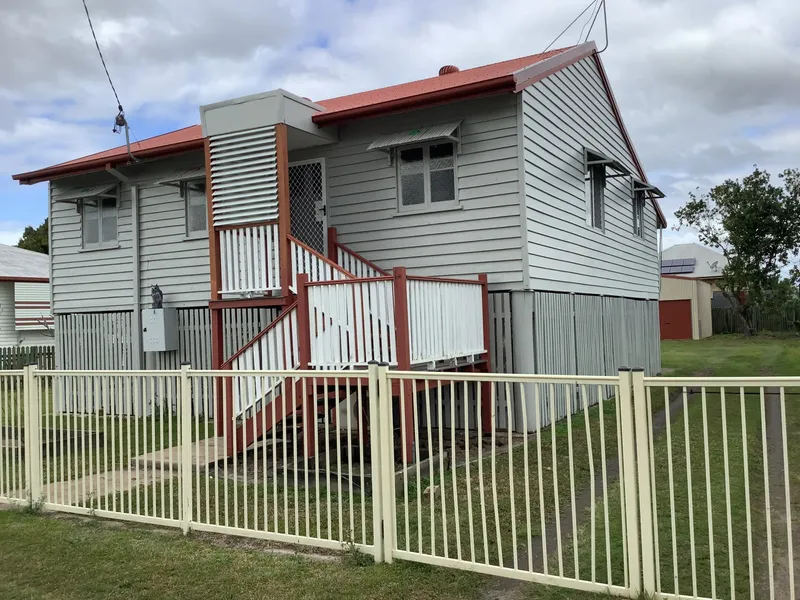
427, 176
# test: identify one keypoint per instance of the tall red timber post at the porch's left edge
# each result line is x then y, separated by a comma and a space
217, 345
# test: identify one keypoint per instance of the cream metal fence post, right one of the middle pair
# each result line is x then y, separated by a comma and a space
387, 461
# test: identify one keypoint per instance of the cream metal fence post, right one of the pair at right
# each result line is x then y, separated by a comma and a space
644, 481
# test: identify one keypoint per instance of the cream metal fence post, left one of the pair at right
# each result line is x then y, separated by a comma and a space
628, 476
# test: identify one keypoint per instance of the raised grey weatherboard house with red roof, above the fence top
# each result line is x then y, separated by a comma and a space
488, 218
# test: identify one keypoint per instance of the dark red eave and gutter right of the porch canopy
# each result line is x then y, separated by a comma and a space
497, 85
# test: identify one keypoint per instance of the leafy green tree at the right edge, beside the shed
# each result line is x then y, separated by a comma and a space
756, 225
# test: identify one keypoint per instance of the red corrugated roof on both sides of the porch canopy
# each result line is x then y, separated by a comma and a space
493, 78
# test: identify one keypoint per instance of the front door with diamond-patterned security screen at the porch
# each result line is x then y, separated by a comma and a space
307, 203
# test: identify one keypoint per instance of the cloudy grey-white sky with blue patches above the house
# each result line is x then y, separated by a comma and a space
707, 88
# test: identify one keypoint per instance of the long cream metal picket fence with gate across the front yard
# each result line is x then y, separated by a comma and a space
679, 488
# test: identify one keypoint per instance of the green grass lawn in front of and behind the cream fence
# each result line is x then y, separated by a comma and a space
39, 543
